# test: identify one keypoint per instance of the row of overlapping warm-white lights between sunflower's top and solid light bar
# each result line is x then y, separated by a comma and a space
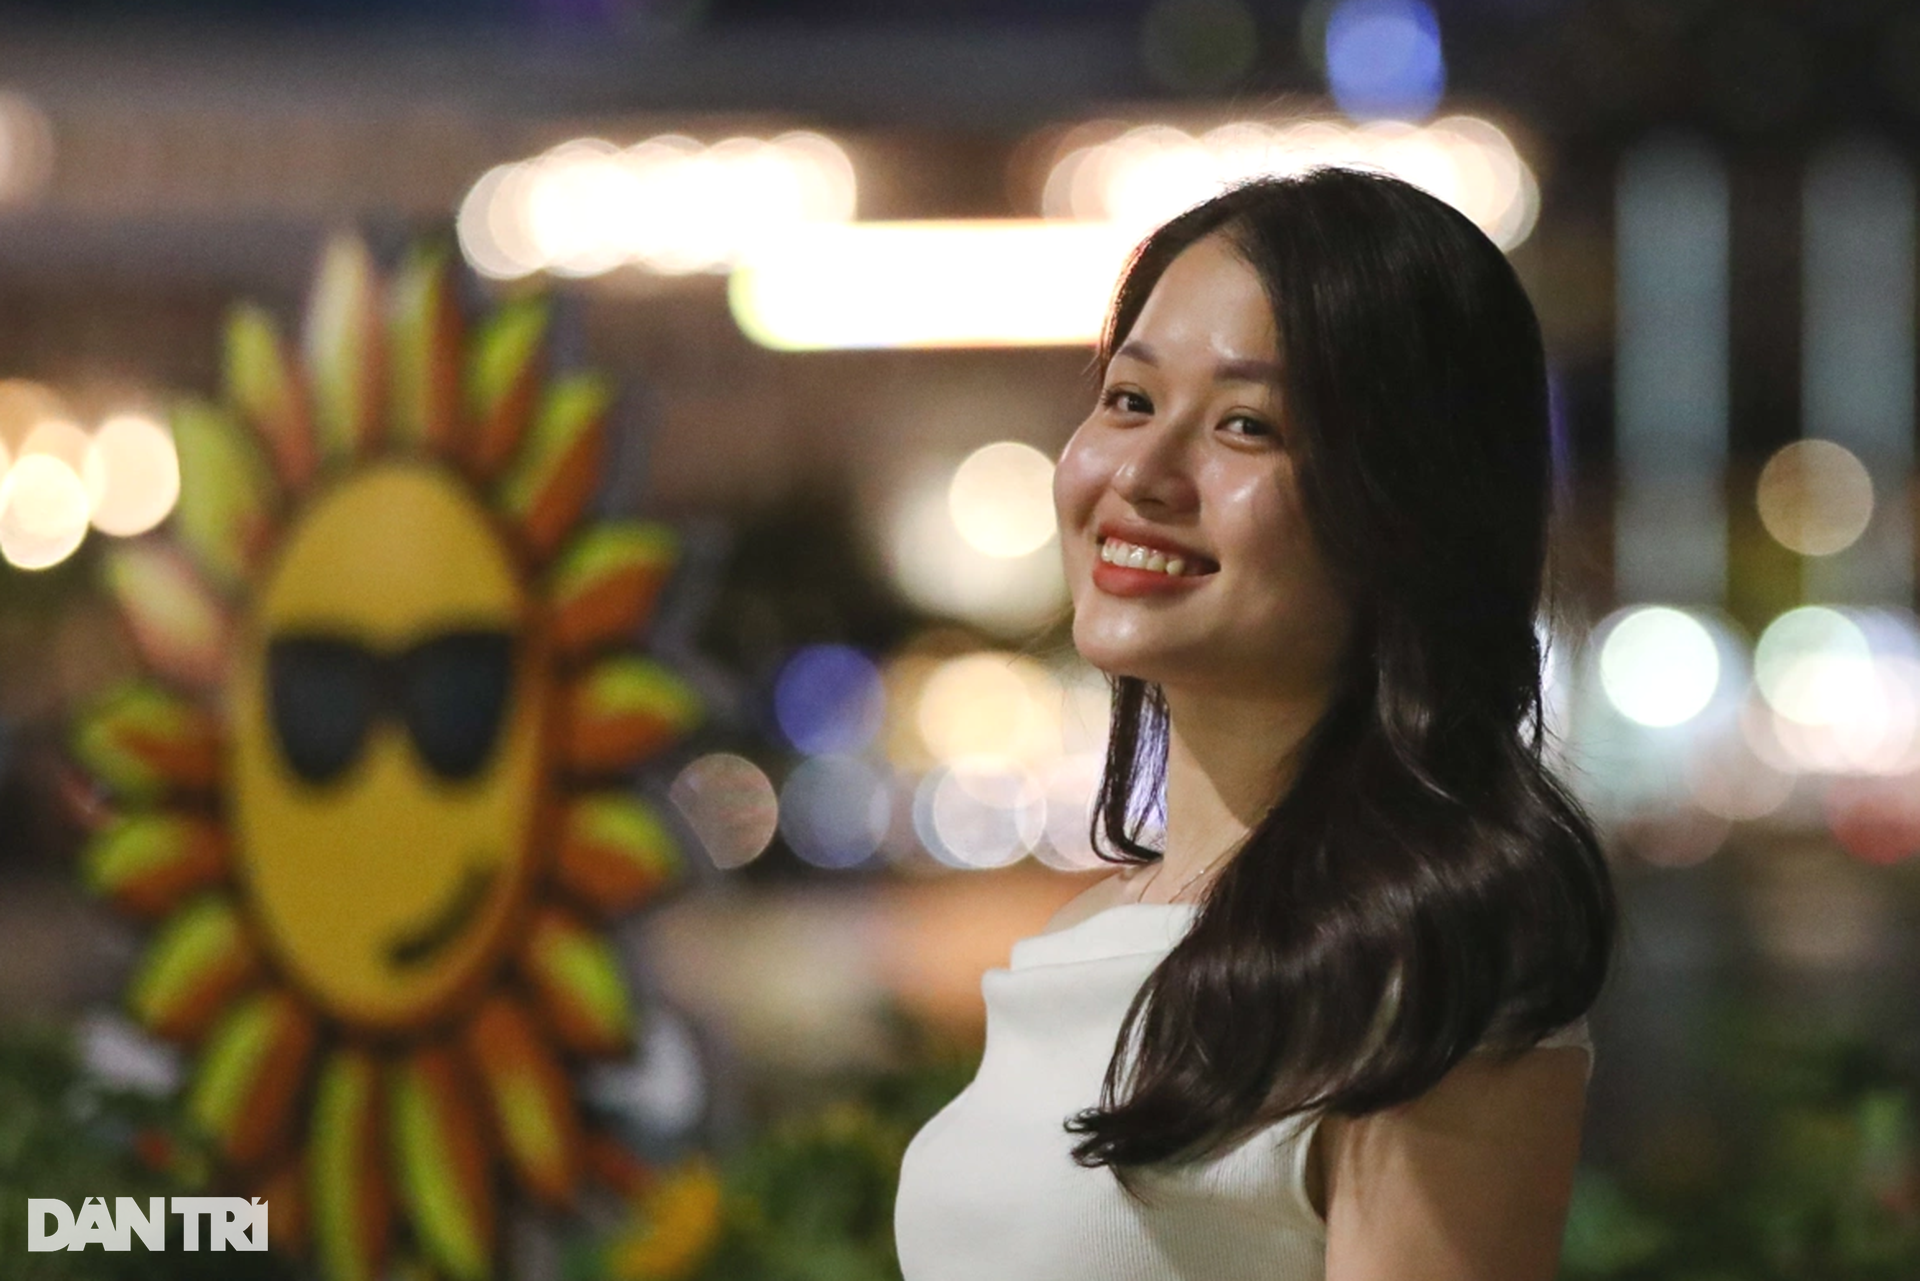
669, 205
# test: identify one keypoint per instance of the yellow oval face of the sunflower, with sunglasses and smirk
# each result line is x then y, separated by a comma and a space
389, 746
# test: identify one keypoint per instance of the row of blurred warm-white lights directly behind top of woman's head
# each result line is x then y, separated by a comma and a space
1149, 174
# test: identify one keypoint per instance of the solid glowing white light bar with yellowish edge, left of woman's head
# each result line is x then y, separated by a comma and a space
994, 283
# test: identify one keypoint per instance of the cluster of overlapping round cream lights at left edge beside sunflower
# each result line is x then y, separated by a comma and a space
59, 479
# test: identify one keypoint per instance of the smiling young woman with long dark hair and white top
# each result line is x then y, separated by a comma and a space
1337, 1027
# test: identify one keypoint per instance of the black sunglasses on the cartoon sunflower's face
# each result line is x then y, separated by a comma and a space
450, 690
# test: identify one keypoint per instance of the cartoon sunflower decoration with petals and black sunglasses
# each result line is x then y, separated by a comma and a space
375, 788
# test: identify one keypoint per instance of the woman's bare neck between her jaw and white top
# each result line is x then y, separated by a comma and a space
1230, 760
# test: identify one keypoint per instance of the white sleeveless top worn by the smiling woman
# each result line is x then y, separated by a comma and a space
990, 1190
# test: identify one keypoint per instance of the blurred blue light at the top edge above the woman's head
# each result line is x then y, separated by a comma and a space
1383, 59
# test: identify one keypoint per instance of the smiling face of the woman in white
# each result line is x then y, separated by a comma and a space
1189, 454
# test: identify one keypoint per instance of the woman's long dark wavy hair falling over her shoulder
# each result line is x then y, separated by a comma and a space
1426, 884
